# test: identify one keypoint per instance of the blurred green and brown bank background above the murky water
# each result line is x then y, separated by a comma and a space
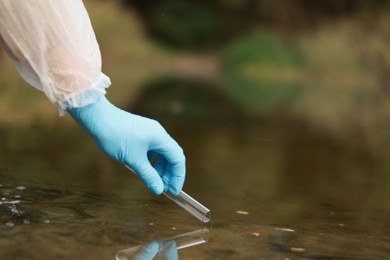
323, 61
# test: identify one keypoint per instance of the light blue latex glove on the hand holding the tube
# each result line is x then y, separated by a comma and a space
129, 139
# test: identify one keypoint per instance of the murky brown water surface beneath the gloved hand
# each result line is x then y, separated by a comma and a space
278, 189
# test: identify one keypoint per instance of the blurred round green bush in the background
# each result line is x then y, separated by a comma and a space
260, 72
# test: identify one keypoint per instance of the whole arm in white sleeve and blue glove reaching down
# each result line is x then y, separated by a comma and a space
53, 47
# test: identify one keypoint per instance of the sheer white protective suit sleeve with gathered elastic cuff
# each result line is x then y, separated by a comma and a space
53, 47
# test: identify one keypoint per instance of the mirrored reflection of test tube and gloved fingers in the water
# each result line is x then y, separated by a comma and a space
165, 248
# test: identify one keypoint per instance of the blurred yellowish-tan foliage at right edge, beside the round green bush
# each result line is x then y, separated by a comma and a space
346, 74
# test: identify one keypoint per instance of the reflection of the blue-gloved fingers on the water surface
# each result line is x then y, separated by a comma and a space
158, 250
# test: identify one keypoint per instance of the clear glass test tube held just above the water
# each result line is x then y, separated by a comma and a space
188, 203
